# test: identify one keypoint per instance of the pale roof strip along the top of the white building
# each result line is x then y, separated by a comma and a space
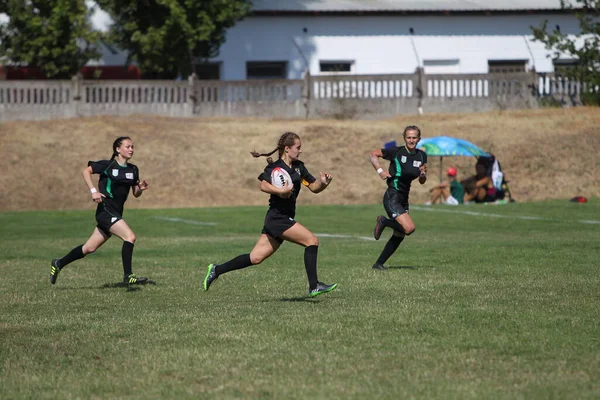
379, 6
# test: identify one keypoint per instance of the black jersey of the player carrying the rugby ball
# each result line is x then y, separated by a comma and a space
300, 176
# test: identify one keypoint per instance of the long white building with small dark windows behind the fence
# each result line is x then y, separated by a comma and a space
284, 38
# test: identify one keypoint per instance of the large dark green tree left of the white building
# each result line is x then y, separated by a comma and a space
167, 37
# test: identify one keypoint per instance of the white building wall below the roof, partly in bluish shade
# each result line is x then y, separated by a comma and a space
383, 44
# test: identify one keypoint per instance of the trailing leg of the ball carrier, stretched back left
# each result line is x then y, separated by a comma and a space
265, 246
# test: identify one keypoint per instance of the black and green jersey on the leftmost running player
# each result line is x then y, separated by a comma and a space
115, 181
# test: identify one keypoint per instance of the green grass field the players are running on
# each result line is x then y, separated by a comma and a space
482, 302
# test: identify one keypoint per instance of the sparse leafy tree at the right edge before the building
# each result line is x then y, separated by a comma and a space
585, 47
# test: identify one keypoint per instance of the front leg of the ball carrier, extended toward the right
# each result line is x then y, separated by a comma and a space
299, 234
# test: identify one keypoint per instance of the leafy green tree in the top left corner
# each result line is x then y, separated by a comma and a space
54, 35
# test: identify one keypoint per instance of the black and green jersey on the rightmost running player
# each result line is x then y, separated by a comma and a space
404, 167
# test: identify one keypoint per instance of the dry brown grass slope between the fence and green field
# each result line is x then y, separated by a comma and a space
546, 154
